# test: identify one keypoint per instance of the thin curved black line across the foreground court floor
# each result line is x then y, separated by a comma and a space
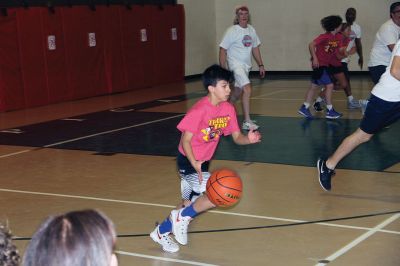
263, 226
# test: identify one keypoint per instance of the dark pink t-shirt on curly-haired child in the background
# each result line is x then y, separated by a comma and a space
326, 45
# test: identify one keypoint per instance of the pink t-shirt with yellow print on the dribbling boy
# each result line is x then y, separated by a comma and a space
208, 123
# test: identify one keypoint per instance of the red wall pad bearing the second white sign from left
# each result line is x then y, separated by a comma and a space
85, 65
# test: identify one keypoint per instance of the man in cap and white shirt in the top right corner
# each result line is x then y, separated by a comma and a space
385, 39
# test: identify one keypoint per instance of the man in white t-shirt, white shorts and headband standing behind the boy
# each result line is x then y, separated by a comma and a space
239, 43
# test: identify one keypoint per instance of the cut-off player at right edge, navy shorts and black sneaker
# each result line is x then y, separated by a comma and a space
382, 110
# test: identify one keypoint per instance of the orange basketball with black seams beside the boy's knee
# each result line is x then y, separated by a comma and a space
224, 187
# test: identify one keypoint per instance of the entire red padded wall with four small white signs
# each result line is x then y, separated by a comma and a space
33, 74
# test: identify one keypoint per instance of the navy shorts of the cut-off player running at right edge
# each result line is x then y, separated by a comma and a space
379, 114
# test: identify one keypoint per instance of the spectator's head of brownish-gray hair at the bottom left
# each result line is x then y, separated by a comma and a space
76, 238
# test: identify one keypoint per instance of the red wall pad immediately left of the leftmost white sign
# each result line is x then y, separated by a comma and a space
32, 61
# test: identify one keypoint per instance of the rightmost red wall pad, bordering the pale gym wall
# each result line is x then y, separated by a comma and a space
170, 53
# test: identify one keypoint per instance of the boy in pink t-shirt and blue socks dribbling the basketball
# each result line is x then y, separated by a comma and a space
202, 127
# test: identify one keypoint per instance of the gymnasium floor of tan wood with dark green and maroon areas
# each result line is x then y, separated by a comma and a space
117, 154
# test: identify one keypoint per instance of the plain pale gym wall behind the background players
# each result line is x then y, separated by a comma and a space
285, 27
